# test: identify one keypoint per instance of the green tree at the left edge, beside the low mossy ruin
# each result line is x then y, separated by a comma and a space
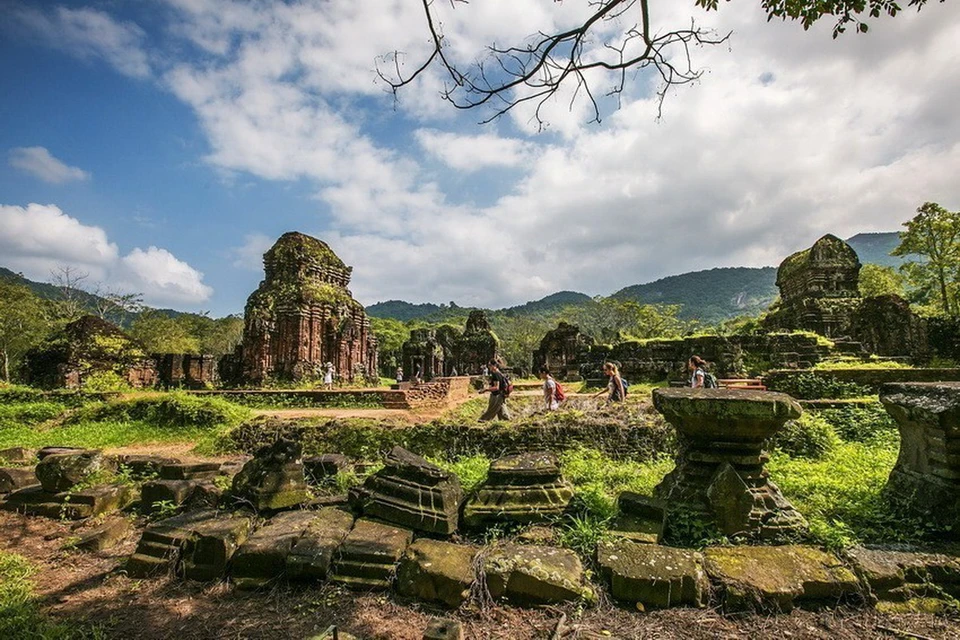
23, 323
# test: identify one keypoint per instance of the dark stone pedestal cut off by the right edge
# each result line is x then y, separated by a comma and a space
926, 478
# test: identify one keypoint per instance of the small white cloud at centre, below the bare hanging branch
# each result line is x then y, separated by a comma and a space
472, 153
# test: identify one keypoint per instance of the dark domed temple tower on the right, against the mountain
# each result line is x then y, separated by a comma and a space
818, 289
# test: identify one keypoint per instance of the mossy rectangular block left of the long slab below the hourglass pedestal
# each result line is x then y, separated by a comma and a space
653, 575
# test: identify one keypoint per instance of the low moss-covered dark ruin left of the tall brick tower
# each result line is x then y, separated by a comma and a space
88, 347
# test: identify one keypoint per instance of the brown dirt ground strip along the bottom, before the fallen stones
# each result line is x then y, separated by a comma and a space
93, 587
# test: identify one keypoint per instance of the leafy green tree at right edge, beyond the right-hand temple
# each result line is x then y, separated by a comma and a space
933, 234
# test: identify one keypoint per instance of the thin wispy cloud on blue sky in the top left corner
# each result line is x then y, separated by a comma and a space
87, 34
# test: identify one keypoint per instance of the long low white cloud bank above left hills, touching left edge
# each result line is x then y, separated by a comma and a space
37, 239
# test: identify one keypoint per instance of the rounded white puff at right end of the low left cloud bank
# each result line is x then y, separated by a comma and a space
161, 277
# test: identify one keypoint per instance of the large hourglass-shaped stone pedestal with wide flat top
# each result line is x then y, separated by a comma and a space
720, 470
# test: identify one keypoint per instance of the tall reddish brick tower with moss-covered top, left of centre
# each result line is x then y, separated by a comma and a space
302, 316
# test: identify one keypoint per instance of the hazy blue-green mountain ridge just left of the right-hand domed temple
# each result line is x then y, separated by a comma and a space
710, 296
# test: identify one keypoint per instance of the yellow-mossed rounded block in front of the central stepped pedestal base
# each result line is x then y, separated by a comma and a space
529, 574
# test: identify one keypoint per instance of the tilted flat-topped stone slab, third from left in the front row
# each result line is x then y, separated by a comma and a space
263, 557
